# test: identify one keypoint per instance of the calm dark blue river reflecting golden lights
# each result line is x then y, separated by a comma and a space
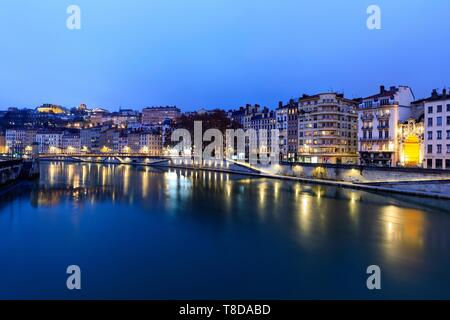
147, 233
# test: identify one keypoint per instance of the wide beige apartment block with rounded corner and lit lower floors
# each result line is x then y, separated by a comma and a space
327, 131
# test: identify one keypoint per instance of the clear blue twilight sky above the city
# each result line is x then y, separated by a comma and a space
216, 53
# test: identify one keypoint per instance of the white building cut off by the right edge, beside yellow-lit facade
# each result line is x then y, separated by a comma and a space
437, 130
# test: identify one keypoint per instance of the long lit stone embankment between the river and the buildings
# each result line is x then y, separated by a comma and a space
412, 181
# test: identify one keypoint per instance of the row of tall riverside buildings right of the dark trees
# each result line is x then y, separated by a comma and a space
389, 128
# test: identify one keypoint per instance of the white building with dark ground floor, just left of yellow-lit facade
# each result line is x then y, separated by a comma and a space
378, 128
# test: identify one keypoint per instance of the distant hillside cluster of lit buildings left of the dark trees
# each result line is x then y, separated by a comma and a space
91, 131
